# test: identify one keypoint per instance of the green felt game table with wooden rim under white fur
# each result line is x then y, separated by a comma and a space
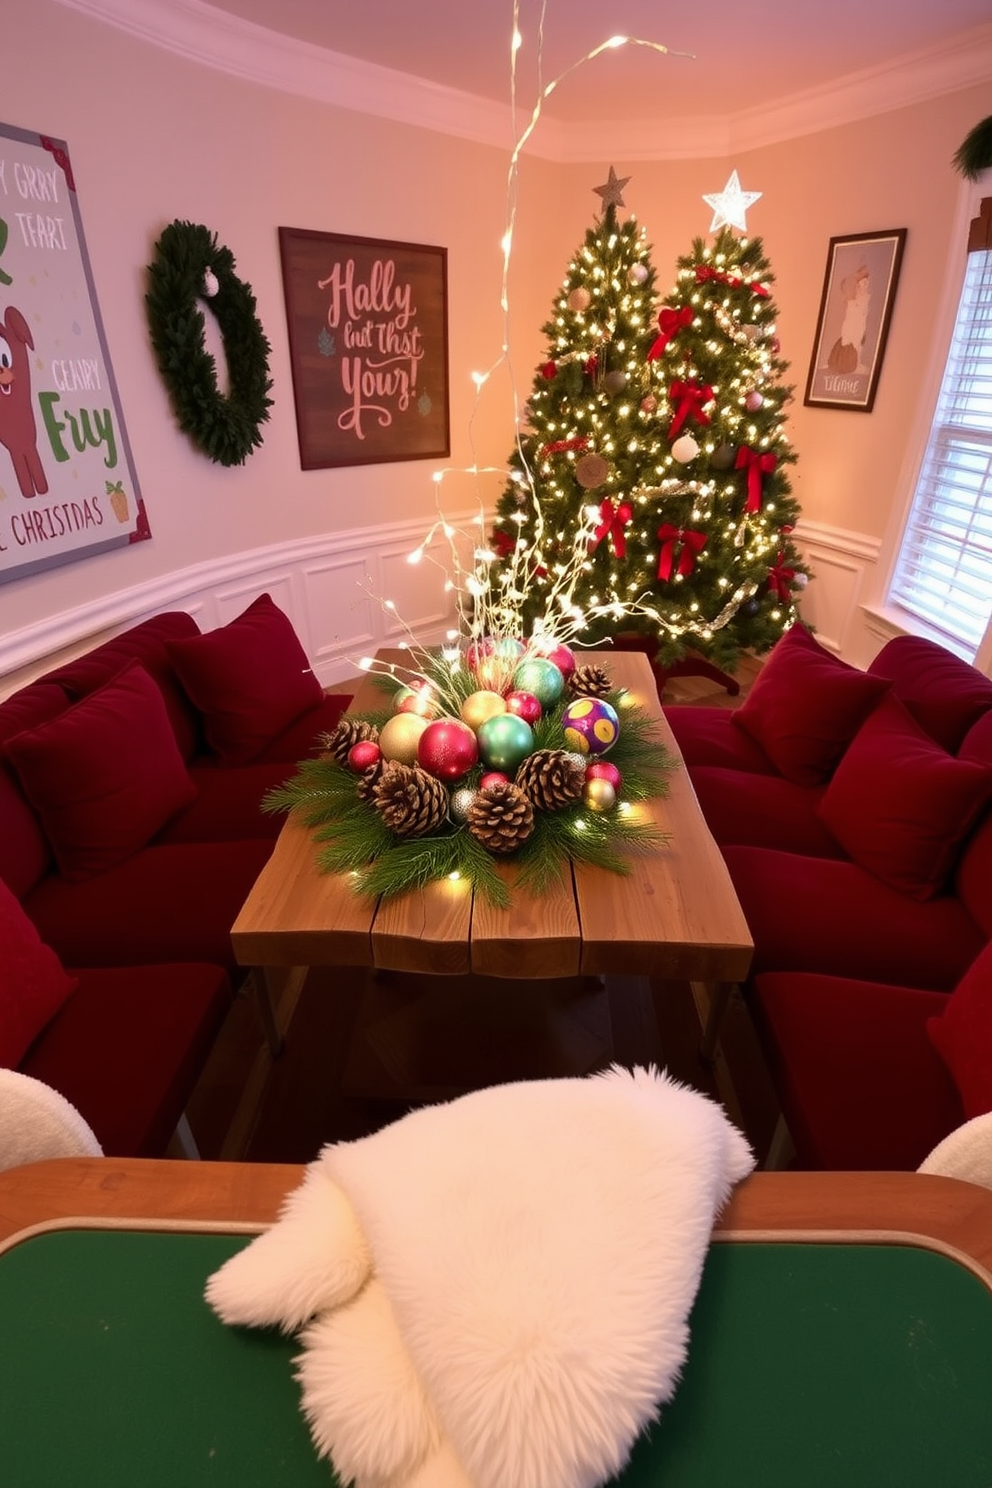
843, 1337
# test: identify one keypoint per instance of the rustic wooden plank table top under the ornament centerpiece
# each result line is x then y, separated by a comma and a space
676, 916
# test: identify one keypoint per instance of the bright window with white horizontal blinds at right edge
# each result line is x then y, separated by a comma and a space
944, 575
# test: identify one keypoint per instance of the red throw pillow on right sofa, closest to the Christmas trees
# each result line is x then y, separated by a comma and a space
807, 706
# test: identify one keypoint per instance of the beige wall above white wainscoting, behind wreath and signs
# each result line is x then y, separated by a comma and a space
155, 138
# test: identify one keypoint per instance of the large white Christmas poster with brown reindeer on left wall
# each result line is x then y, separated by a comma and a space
68, 483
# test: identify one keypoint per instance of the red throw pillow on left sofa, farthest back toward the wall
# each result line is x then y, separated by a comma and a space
251, 679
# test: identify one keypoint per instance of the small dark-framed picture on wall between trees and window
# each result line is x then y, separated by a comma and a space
854, 319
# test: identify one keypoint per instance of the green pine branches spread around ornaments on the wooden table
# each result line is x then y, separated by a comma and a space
353, 838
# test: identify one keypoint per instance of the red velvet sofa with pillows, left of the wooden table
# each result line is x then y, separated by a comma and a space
132, 831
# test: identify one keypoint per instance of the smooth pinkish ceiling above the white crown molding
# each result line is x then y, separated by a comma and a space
740, 57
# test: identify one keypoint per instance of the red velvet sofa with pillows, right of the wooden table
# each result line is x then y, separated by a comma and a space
854, 813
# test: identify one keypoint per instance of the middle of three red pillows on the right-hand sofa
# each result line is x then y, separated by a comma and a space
901, 806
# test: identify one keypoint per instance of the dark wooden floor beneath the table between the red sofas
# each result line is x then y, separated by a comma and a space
364, 1048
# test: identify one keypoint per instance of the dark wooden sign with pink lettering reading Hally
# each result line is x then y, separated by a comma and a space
368, 330
